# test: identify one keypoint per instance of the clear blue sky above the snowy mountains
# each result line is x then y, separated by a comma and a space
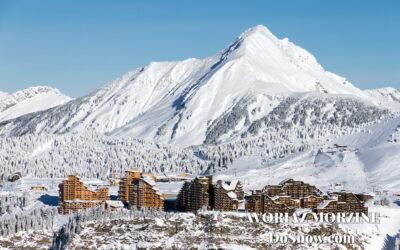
78, 46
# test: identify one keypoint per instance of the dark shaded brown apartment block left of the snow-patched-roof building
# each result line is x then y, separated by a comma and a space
195, 194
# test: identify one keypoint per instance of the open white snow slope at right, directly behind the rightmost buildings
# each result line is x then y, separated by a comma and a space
367, 163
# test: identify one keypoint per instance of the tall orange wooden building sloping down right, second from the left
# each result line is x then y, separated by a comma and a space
139, 190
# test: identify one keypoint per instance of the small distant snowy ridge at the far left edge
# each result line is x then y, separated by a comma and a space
29, 100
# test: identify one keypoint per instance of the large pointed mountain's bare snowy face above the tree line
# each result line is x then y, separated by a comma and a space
177, 102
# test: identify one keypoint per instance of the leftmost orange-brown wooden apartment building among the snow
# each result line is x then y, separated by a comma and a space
75, 196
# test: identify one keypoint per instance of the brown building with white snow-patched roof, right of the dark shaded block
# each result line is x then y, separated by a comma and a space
227, 195
